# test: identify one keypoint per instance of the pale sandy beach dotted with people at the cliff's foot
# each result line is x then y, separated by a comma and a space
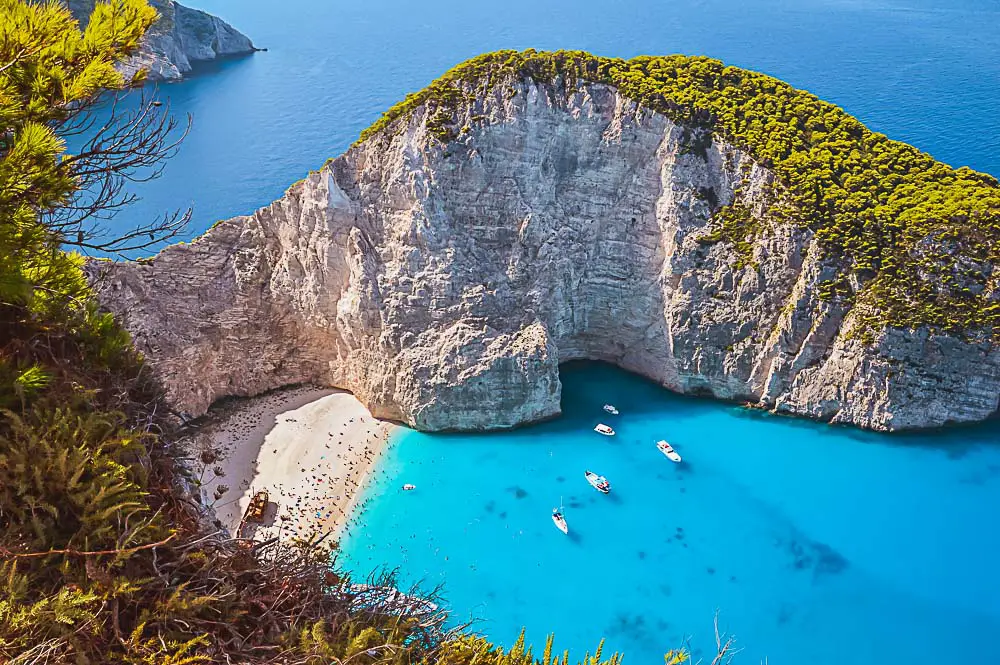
310, 449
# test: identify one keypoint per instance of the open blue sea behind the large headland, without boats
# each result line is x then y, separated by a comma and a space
922, 71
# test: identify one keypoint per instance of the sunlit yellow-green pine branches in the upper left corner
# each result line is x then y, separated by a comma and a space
48, 69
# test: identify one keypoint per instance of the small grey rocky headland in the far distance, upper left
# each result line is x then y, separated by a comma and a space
181, 37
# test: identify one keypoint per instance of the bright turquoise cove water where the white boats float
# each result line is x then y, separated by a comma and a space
816, 544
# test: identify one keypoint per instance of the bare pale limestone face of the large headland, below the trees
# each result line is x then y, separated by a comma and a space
444, 284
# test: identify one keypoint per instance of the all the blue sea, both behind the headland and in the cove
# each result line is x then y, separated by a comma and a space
816, 545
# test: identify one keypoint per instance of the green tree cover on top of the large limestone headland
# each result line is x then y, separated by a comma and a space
915, 240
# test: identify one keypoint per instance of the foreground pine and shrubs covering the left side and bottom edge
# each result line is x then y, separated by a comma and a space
104, 555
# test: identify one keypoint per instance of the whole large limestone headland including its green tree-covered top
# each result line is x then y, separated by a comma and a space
710, 228
